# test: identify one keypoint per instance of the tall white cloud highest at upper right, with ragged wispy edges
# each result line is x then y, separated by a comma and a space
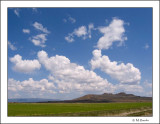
112, 33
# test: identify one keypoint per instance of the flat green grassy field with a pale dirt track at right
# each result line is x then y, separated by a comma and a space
80, 109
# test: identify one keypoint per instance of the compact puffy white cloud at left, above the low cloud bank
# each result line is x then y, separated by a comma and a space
25, 66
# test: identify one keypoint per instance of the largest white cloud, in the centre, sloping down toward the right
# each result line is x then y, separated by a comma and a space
70, 76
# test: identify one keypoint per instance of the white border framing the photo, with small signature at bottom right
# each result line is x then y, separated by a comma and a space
114, 4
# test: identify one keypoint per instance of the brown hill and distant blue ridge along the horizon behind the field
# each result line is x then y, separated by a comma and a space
90, 98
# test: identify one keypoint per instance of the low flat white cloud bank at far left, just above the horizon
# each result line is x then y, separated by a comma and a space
30, 88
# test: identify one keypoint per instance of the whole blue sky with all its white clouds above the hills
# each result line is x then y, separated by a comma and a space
65, 53
